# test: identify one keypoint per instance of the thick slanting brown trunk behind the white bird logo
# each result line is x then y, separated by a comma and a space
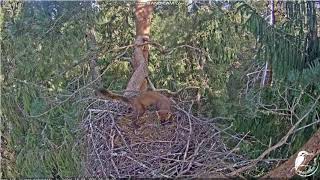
286, 170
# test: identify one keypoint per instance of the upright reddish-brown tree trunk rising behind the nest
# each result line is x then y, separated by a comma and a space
139, 61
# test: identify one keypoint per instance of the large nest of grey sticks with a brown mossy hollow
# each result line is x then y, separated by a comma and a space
185, 146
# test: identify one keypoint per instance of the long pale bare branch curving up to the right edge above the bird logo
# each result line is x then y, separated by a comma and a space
280, 143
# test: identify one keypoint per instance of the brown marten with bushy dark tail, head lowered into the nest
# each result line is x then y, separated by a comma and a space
141, 102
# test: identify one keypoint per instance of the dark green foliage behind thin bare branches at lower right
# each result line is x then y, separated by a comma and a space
270, 120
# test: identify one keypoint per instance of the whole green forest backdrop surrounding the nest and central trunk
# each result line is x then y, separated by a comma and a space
262, 77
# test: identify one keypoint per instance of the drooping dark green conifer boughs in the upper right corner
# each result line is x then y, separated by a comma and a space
289, 45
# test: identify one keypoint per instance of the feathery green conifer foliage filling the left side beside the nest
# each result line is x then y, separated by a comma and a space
38, 47
